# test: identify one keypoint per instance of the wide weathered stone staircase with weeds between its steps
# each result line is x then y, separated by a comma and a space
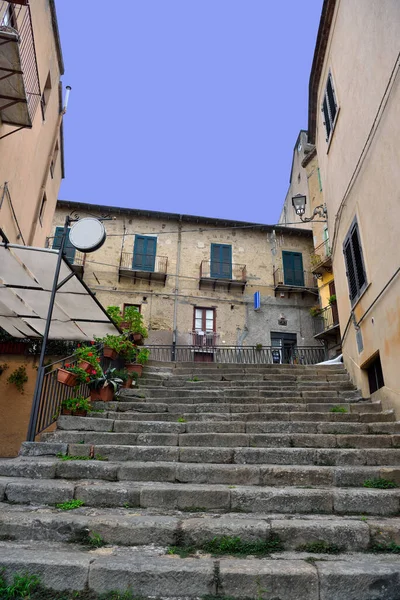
213, 480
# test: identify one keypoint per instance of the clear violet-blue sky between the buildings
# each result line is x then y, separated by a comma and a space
188, 106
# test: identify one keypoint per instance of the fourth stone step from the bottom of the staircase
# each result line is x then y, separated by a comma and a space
178, 472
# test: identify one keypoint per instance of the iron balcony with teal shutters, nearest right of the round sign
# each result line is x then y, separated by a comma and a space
143, 267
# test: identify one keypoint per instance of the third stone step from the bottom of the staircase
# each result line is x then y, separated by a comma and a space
173, 496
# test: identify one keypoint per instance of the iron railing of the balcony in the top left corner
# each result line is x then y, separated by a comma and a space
17, 17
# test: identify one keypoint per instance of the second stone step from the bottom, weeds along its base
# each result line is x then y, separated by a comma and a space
127, 529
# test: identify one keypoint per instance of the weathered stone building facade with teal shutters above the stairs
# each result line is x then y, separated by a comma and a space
194, 278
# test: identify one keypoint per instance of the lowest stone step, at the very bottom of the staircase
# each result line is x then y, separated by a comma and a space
288, 575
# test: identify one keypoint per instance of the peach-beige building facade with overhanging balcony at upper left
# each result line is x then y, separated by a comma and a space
31, 136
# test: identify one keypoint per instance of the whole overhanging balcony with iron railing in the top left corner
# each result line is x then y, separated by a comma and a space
19, 79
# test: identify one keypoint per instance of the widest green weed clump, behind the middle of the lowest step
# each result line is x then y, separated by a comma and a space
232, 546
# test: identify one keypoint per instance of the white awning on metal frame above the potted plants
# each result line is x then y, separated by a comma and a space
26, 281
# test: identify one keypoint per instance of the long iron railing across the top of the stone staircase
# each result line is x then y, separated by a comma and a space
256, 355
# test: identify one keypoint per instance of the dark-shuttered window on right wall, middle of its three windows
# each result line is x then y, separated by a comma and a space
353, 256
